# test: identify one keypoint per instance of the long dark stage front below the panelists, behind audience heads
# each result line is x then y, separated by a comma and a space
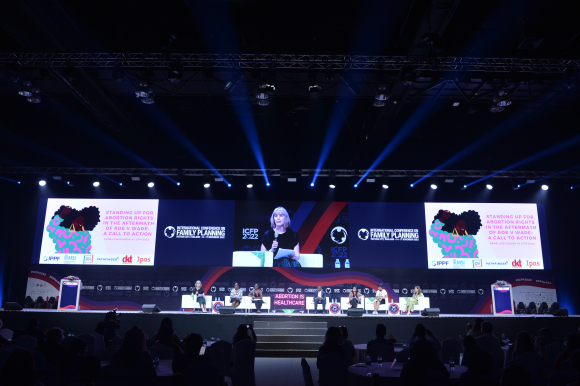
361, 329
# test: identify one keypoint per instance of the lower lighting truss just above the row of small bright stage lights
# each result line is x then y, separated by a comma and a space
528, 175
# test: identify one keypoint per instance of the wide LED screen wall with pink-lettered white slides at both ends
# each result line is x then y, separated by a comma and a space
331, 235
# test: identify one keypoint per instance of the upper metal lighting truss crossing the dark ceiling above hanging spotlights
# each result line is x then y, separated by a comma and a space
291, 61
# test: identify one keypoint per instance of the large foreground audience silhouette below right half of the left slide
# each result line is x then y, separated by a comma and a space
134, 358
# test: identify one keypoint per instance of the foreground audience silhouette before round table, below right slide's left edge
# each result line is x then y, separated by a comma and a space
422, 363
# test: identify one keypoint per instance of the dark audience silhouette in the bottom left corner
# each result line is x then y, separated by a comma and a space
19, 369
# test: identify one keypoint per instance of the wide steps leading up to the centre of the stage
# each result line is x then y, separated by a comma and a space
289, 339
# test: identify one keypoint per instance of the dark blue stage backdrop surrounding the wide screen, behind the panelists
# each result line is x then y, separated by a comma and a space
20, 209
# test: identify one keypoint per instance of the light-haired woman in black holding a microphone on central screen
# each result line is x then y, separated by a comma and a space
282, 240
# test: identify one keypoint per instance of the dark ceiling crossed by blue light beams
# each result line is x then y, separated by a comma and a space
97, 122
